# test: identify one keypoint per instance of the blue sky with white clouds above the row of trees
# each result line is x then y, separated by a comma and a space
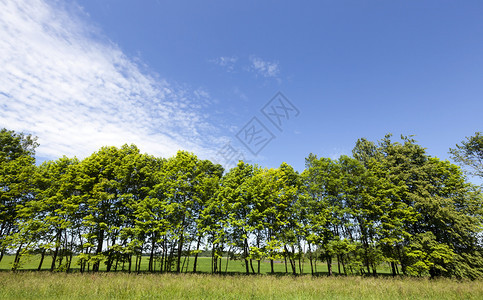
169, 75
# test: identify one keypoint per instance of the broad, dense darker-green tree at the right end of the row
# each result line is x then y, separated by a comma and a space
427, 195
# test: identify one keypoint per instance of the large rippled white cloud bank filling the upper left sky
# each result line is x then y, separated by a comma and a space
75, 90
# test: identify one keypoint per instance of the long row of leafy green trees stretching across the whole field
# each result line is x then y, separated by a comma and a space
389, 203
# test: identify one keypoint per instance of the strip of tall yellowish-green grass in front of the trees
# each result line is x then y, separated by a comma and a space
46, 285
